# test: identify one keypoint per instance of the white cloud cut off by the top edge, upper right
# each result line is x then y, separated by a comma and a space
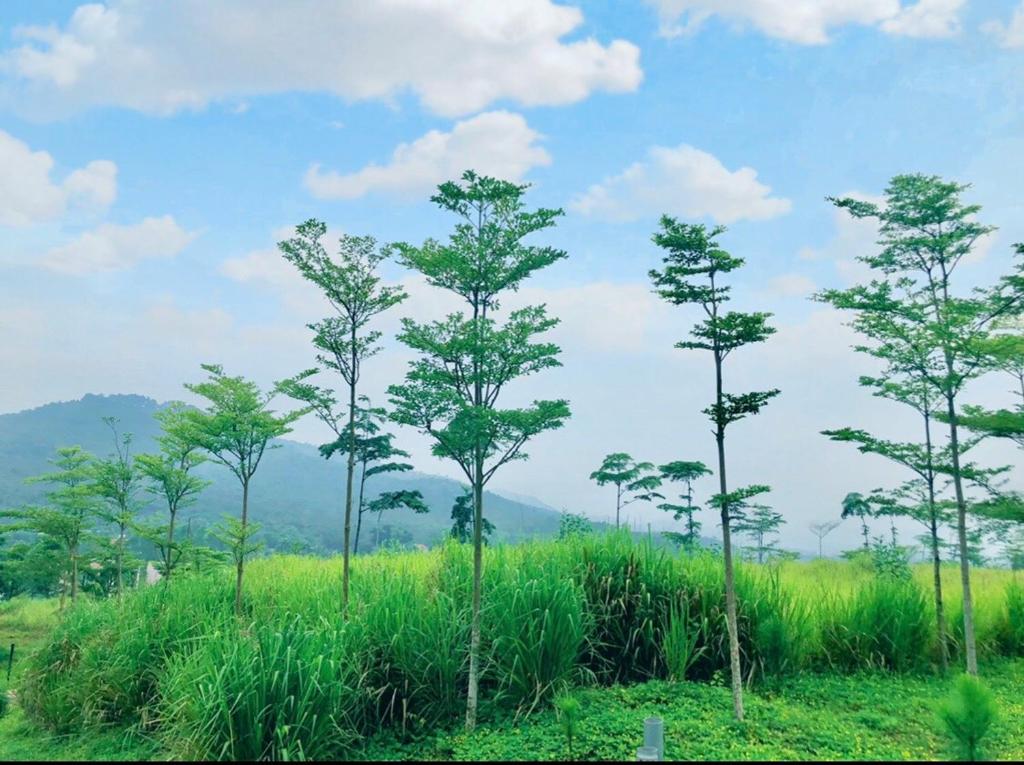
810, 22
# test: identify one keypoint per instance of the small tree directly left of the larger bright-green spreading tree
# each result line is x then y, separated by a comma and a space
169, 475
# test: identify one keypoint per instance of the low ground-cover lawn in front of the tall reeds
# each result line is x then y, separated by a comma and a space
862, 717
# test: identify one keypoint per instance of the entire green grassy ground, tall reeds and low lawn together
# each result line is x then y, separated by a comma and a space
842, 664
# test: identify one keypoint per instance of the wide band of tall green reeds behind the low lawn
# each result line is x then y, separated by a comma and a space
292, 679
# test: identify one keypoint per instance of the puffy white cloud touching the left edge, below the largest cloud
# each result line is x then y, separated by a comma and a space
29, 195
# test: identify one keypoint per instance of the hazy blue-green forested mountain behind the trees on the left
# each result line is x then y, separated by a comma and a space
296, 495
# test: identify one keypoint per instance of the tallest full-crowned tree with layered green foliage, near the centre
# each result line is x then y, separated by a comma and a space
466, 361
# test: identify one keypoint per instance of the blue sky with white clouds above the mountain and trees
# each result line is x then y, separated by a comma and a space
154, 153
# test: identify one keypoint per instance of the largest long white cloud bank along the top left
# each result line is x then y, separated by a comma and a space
457, 58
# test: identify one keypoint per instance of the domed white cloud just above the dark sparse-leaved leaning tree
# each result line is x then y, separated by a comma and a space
685, 182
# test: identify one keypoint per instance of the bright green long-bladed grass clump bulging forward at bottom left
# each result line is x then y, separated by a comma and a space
272, 695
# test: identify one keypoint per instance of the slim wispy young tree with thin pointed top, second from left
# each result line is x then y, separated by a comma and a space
117, 484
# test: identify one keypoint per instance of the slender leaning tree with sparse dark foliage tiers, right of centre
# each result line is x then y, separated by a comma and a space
695, 268
